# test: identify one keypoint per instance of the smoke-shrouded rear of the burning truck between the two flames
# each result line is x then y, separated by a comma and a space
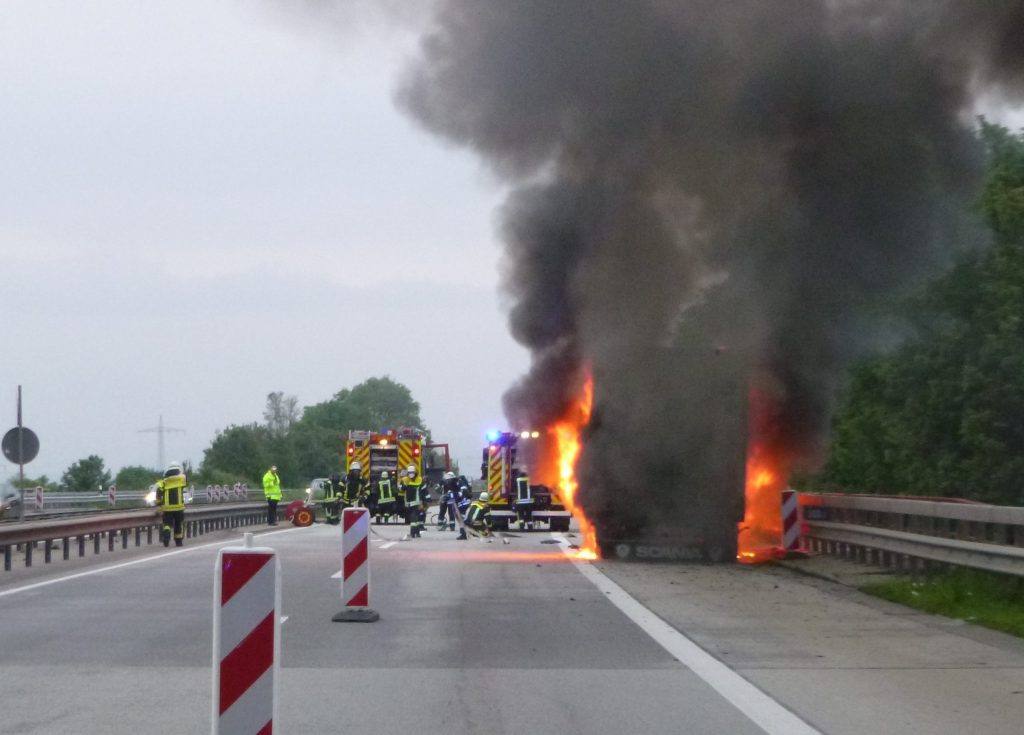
663, 477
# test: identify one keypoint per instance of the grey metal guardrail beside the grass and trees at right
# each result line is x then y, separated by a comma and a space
913, 535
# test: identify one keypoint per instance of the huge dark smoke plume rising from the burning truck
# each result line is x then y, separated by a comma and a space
707, 194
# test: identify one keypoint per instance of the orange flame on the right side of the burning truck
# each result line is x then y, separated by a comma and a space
760, 534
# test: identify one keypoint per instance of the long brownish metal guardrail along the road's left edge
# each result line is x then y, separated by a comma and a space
61, 535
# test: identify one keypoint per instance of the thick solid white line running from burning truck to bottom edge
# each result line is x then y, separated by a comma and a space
764, 712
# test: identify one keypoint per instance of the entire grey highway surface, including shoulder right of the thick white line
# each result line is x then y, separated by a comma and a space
474, 638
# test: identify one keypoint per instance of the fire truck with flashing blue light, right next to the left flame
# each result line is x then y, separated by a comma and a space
505, 453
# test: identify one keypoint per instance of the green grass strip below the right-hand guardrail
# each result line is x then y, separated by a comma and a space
995, 601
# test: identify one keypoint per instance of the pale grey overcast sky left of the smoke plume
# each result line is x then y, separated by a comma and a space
203, 202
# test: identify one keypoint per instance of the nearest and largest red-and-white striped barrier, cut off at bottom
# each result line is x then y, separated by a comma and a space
246, 640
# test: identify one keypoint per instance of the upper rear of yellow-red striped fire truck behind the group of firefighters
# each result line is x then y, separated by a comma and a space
393, 451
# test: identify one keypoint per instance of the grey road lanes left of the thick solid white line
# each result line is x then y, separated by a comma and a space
474, 638
